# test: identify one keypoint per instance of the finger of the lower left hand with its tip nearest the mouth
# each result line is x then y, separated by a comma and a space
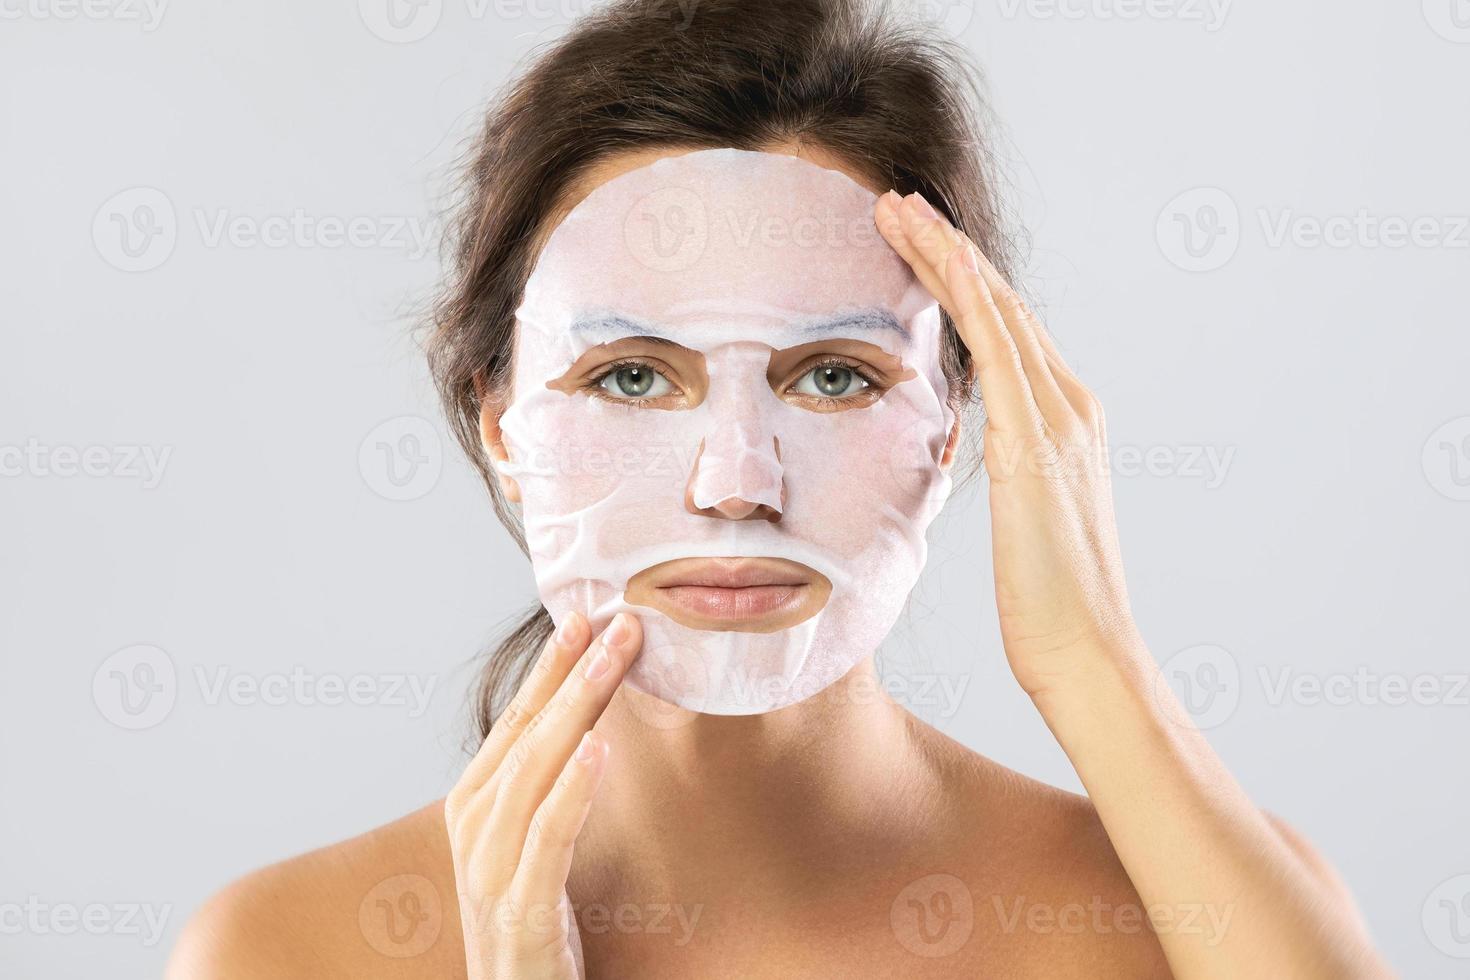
533, 765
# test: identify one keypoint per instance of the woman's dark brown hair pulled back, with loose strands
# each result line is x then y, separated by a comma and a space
892, 99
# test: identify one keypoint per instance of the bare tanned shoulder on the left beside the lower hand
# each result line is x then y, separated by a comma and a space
380, 904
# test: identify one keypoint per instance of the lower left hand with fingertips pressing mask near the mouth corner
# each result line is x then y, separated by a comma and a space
515, 815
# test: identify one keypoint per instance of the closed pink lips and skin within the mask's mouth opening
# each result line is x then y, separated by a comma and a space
752, 596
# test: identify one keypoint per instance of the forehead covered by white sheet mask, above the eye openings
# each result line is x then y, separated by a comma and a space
723, 240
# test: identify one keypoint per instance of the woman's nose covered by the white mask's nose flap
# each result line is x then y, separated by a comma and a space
737, 477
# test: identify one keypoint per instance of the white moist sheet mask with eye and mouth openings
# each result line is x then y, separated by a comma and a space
733, 255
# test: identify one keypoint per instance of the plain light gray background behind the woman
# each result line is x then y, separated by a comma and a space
1333, 547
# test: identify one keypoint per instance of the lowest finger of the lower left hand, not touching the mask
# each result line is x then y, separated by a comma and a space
548, 856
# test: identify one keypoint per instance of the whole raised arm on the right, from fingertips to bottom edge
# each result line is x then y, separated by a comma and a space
1074, 647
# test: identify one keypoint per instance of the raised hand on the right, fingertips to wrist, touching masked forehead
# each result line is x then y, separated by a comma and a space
1059, 577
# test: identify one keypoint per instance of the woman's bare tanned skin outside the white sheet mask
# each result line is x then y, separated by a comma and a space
800, 843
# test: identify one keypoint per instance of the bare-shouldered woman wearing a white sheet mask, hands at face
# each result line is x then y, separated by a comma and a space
808, 826
